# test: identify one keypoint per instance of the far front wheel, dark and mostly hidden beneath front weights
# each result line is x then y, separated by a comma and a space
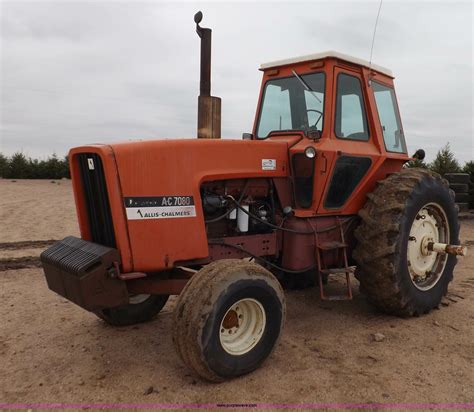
141, 308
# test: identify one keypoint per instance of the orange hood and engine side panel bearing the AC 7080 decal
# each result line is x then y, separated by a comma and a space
161, 181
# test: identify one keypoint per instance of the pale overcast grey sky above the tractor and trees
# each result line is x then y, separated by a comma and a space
74, 73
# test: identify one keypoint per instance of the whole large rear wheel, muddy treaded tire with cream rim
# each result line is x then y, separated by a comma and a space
395, 270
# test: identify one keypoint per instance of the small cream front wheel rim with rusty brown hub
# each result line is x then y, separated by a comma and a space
242, 326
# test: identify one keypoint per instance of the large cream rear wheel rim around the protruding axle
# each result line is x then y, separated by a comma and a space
426, 267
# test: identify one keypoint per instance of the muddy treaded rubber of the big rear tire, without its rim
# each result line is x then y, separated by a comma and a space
383, 236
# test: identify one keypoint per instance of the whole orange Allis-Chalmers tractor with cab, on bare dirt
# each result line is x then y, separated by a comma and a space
318, 189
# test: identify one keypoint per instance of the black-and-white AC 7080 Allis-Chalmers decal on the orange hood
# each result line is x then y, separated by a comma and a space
159, 207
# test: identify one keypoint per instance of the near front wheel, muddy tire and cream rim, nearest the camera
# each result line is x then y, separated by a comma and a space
228, 319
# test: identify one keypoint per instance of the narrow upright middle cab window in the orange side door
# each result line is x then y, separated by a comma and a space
351, 119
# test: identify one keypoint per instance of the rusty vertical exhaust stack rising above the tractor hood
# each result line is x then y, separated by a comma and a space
209, 107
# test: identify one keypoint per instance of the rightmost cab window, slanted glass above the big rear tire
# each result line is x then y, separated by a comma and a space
389, 118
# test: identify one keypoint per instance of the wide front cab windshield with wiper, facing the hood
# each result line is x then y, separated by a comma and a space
289, 105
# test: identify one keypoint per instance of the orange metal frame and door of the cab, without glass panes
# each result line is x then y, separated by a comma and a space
329, 147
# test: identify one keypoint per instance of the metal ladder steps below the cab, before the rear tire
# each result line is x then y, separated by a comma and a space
334, 246
